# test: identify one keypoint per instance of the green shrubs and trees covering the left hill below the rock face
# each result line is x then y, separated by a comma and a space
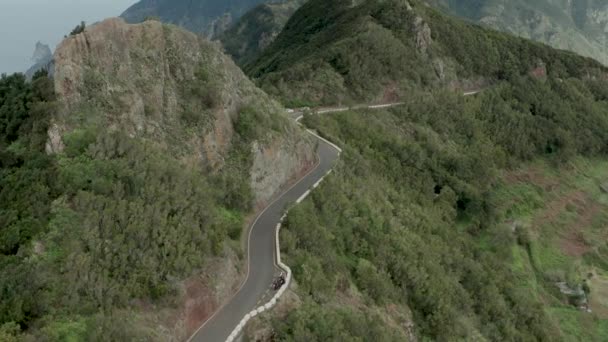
109, 220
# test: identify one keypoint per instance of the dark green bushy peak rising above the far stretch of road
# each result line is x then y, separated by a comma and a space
331, 52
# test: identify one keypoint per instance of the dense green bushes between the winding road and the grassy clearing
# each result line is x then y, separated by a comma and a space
412, 217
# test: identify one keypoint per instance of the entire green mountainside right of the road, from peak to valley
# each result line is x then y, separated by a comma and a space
413, 236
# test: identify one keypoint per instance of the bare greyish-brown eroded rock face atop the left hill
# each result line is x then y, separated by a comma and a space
139, 79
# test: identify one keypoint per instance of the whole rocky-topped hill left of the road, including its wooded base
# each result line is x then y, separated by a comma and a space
157, 149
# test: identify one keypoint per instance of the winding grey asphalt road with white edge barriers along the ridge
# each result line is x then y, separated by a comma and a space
262, 241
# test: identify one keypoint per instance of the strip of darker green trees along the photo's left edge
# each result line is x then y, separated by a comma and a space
26, 193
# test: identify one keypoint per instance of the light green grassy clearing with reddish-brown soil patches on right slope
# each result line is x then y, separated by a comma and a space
564, 213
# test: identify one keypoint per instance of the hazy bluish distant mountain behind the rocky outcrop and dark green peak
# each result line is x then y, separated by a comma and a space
208, 17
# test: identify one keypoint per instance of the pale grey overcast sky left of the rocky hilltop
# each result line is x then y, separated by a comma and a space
24, 22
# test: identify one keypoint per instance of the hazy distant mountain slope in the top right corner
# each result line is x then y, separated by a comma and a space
579, 26
